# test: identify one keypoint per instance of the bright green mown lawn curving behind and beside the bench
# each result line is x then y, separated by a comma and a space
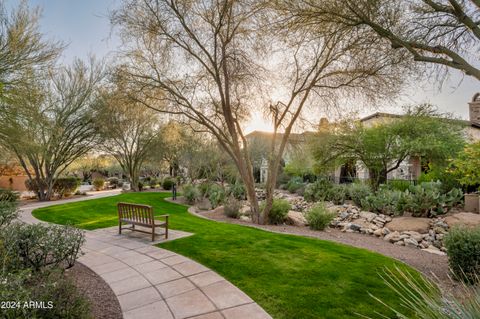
289, 276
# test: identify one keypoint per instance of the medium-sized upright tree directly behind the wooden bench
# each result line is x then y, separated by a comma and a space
128, 131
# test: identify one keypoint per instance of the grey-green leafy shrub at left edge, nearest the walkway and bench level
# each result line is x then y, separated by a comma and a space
38, 246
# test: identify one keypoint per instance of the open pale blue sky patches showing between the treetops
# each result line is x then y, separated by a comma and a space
84, 26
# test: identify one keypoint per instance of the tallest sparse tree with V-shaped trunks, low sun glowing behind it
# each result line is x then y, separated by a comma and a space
206, 62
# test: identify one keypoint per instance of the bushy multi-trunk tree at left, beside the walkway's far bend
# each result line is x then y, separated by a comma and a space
49, 124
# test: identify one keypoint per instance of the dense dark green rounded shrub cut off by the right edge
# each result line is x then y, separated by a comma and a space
463, 250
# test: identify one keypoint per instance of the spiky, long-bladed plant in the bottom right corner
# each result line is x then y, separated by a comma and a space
425, 300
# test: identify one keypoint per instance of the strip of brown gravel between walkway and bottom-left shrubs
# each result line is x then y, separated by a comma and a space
104, 304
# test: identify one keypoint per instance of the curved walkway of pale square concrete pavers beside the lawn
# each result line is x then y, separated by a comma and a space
151, 282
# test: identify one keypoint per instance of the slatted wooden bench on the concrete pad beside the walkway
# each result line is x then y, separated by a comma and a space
140, 215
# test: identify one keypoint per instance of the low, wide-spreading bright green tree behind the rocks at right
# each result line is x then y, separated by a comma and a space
382, 148
